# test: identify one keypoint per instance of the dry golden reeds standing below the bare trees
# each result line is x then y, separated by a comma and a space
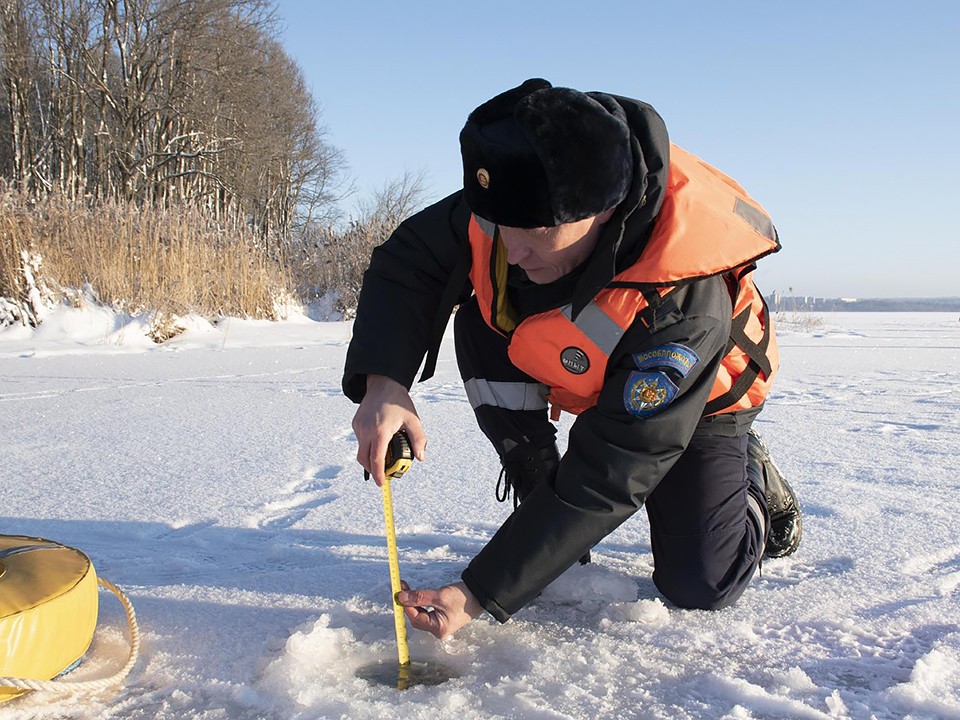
173, 261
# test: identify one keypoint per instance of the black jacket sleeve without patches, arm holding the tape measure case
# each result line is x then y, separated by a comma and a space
402, 289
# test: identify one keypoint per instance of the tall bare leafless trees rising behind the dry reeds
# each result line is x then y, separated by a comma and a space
162, 102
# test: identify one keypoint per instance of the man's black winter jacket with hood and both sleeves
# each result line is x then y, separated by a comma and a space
613, 459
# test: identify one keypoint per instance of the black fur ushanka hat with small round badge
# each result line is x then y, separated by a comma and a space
539, 156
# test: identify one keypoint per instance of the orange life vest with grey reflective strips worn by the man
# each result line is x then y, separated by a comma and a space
708, 225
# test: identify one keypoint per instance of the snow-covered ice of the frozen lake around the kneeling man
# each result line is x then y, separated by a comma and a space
214, 479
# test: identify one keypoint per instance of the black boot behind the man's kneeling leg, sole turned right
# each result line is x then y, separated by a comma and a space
786, 522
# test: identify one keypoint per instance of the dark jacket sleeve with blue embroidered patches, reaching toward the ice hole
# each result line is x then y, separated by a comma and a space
614, 457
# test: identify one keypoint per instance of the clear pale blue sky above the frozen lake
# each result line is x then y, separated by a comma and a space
842, 118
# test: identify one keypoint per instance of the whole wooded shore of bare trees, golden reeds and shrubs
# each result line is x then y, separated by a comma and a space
166, 156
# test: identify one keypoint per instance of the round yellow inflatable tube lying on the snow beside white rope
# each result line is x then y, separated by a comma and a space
48, 608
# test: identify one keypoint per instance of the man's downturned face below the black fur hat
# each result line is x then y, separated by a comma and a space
547, 254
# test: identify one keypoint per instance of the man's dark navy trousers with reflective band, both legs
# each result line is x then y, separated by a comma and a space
706, 543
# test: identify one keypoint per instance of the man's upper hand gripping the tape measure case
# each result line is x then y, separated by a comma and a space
385, 408
